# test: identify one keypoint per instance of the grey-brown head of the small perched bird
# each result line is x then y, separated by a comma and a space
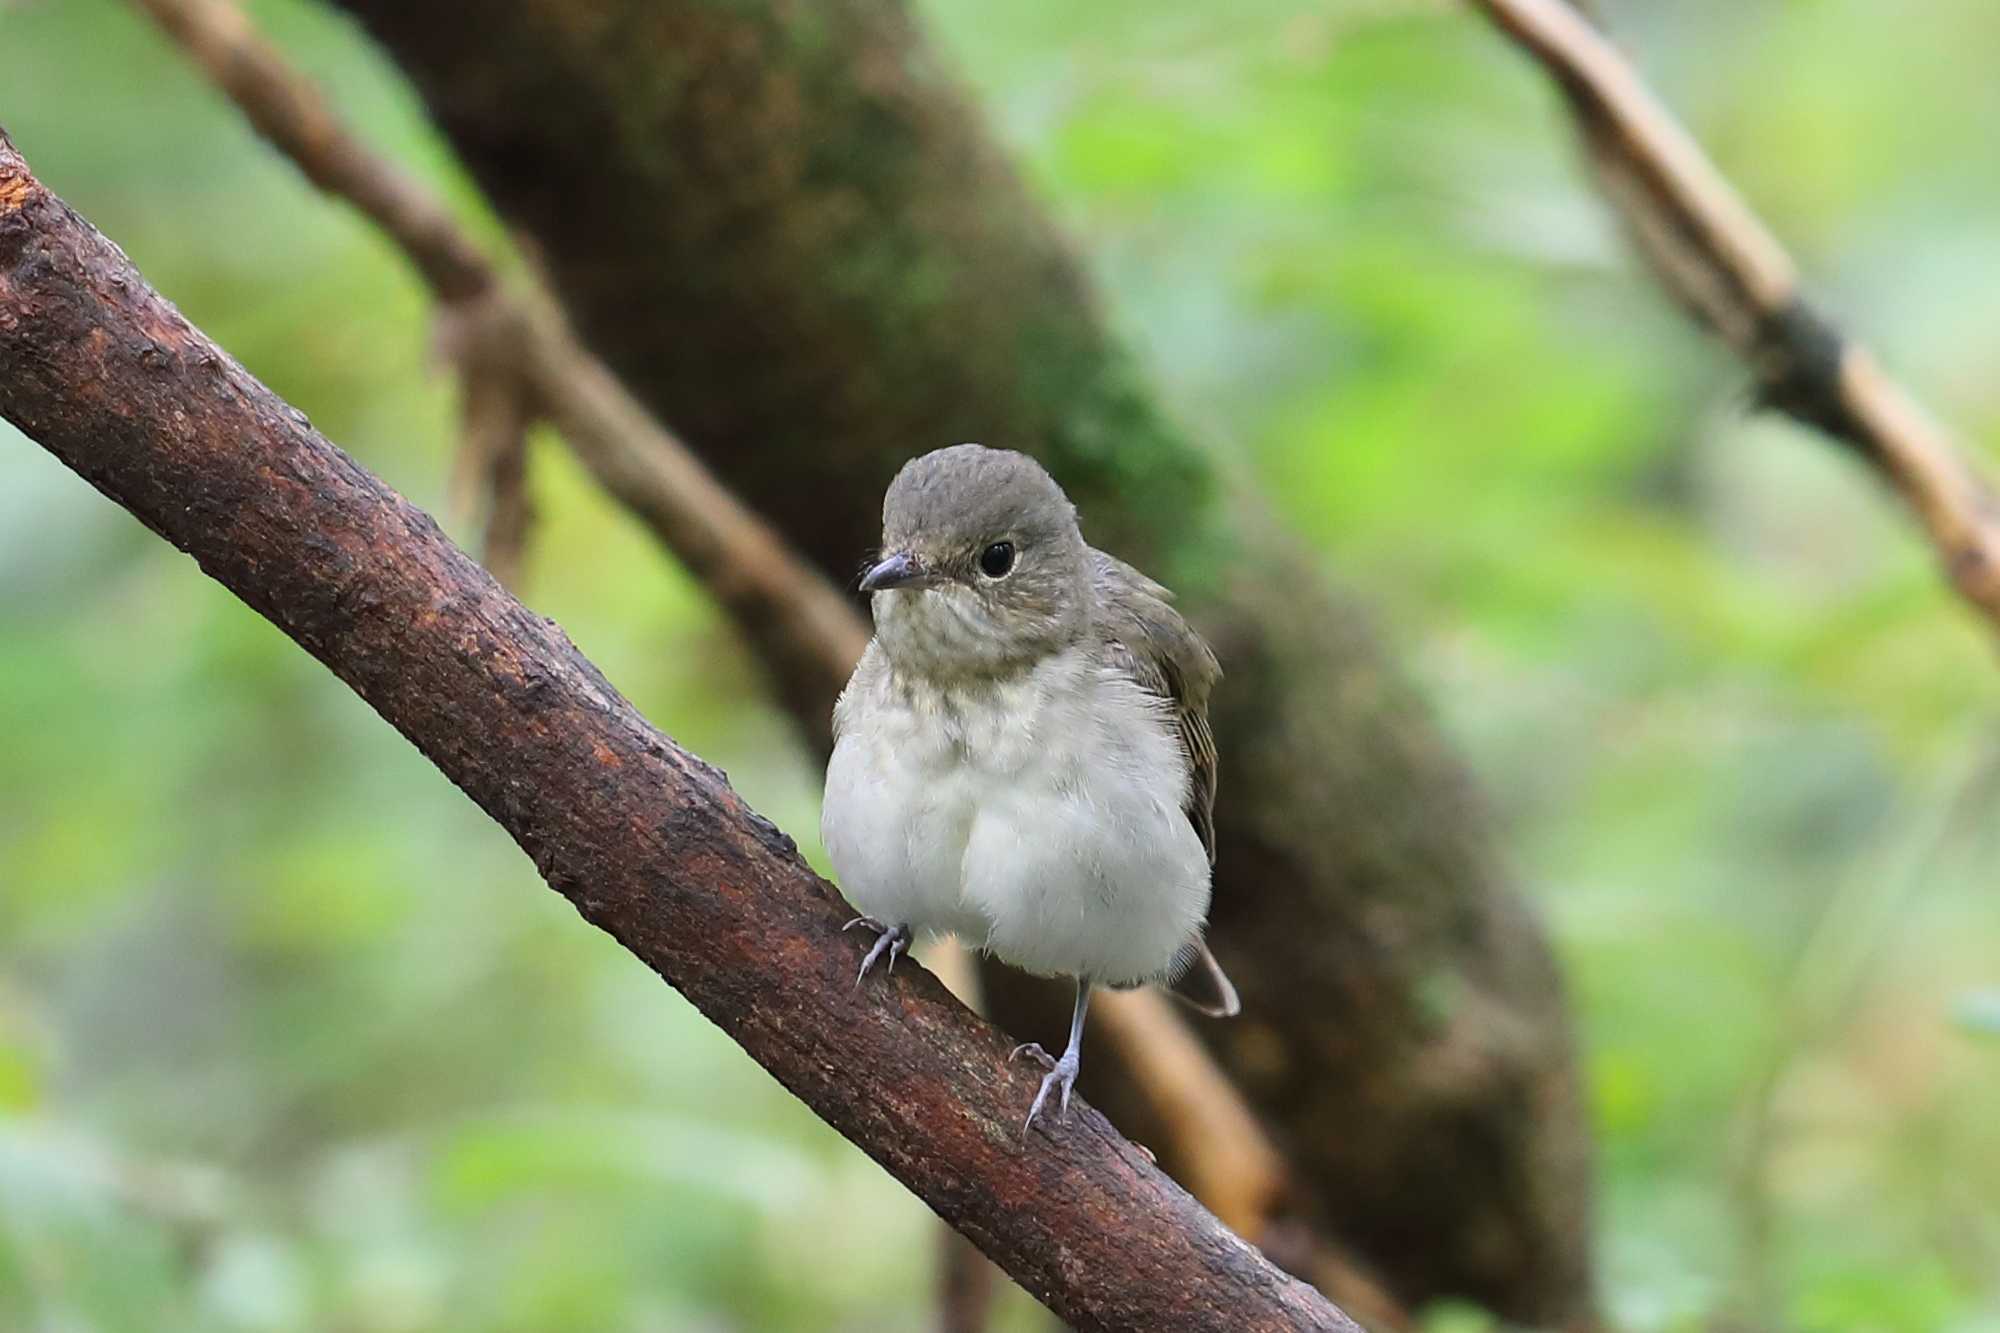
983, 567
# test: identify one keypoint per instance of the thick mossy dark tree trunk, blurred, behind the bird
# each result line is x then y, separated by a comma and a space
791, 233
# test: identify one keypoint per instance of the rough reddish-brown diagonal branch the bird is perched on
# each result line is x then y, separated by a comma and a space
643, 838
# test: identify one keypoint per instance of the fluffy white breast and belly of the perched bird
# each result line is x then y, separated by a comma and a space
1039, 818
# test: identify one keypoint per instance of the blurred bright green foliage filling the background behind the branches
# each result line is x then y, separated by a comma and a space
293, 1040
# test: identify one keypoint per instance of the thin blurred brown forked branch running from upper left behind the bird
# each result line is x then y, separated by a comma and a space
517, 353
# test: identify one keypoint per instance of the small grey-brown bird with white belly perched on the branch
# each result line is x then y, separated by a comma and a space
1023, 754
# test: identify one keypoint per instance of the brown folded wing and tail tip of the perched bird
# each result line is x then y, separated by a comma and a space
1149, 639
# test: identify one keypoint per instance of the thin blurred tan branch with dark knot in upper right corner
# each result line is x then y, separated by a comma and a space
1725, 267
